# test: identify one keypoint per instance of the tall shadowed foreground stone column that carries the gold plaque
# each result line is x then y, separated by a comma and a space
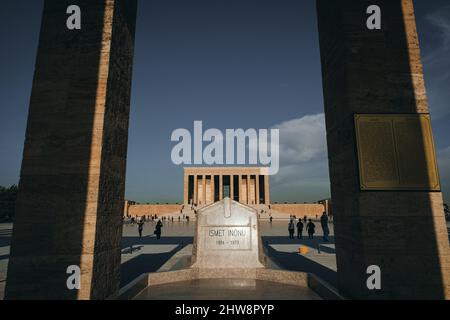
380, 72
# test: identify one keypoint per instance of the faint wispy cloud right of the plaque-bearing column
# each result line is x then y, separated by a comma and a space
437, 62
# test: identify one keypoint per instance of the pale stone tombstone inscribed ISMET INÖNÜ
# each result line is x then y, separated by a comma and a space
227, 236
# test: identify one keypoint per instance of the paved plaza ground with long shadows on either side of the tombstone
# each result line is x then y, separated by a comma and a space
174, 249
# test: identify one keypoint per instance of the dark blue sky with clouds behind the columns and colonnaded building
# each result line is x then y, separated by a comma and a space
231, 64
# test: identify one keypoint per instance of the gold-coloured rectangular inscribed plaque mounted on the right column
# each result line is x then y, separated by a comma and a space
396, 152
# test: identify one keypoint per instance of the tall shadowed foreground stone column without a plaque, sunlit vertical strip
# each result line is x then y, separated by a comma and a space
72, 181
